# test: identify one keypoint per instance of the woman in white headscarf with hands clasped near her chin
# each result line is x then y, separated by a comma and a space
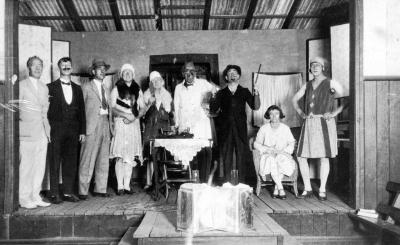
159, 116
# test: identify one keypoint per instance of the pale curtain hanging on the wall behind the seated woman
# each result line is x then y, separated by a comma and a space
278, 90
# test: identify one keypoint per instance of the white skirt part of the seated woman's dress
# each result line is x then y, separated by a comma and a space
281, 164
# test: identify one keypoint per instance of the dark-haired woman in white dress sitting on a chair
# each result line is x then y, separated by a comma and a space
276, 143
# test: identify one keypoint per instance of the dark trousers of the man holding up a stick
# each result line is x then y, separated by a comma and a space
230, 144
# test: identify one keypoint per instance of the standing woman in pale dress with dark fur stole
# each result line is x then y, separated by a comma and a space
126, 146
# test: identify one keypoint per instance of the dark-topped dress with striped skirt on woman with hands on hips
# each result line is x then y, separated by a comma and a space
318, 138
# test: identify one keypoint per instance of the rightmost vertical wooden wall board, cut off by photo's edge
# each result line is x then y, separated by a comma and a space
394, 102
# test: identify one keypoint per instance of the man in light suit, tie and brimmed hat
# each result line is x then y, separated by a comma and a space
95, 150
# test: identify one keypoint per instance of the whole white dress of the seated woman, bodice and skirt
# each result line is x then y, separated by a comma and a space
280, 138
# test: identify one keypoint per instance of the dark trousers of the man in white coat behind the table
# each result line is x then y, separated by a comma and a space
202, 162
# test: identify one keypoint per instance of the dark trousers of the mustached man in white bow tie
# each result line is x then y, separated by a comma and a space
64, 152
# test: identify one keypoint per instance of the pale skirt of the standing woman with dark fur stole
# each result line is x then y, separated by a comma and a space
127, 141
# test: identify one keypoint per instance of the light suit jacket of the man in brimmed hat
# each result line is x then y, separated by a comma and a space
92, 100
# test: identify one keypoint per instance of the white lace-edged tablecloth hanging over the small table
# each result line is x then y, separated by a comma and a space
183, 149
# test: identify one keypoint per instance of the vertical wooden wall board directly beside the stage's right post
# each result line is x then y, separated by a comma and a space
370, 190
